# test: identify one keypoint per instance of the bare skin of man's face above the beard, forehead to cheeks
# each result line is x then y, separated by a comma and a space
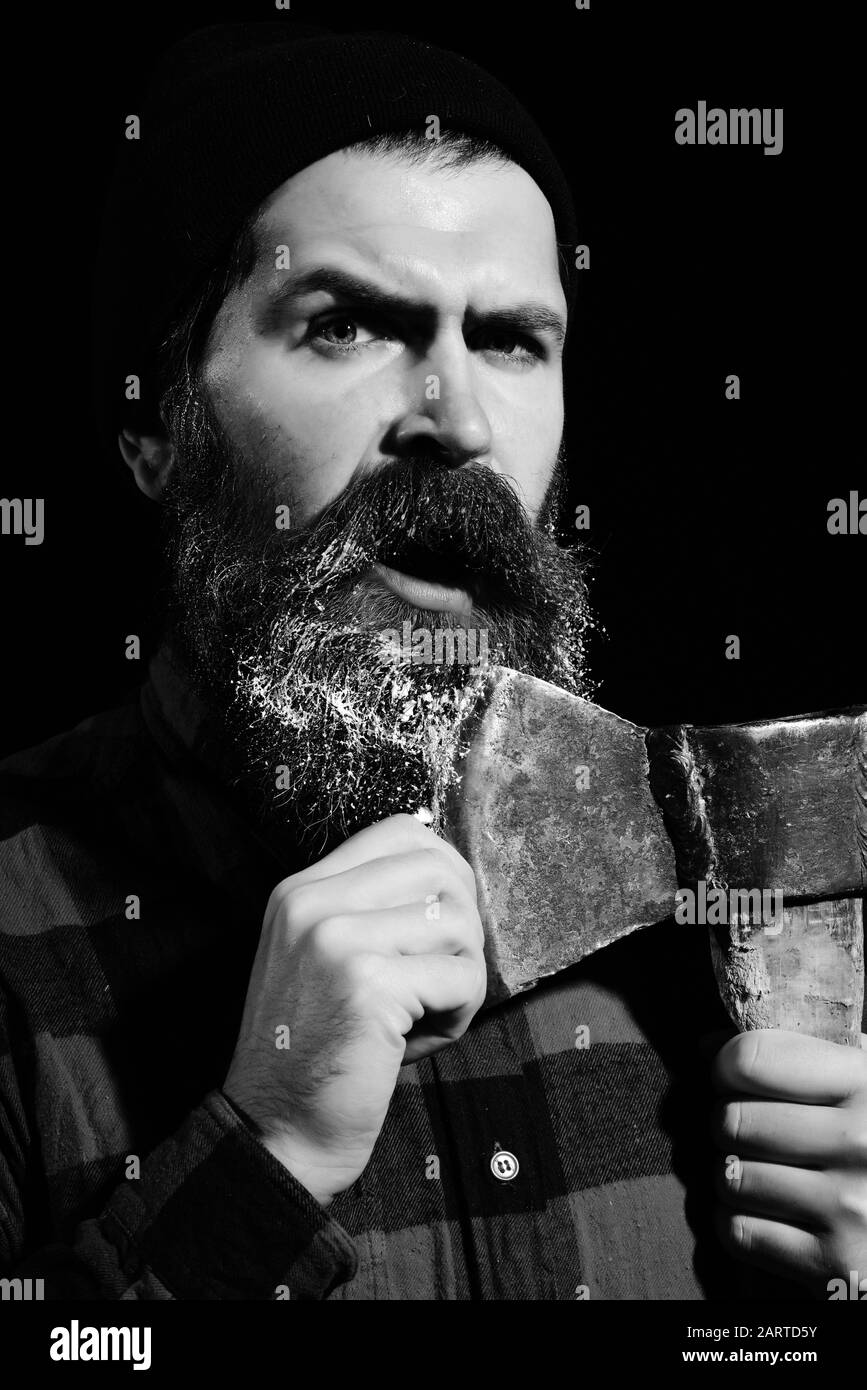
323, 386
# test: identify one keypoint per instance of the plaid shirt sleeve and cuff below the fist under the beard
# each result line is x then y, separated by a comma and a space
212, 1216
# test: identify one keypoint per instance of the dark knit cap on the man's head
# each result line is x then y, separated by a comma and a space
233, 113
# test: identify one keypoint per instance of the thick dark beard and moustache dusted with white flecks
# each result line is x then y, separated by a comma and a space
326, 726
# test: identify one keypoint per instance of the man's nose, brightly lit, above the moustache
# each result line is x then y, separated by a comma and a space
444, 416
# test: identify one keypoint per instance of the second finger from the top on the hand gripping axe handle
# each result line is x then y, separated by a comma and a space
782, 1132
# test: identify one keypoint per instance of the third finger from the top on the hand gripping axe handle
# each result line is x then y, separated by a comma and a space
795, 1196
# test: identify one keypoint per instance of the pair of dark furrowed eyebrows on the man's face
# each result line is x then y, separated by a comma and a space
525, 318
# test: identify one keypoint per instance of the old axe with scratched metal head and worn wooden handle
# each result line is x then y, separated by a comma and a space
581, 828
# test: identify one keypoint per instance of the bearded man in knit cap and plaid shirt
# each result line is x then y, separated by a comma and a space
242, 971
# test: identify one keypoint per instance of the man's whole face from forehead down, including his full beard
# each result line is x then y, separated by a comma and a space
372, 441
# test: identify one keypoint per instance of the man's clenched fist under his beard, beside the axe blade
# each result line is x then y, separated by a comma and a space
368, 960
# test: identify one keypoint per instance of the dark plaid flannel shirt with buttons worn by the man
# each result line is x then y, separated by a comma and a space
127, 1174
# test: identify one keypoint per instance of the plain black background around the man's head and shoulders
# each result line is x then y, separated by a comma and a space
709, 516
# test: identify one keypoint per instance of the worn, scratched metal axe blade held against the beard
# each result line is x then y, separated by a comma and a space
561, 872
